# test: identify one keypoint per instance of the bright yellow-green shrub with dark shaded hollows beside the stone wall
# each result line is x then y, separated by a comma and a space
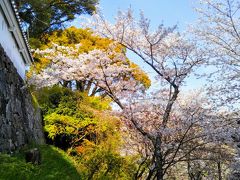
75, 115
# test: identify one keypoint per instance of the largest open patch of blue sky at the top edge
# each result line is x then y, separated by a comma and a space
170, 12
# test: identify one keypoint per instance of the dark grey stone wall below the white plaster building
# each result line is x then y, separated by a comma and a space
20, 121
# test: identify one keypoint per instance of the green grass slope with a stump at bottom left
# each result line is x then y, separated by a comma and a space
55, 164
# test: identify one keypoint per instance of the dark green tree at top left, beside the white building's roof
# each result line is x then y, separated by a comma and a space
43, 16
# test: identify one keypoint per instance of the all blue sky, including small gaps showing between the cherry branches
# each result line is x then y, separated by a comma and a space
168, 12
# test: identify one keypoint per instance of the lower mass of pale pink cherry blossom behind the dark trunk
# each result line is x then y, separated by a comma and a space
194, 134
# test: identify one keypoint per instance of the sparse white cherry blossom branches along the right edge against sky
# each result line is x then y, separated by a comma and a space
218, 31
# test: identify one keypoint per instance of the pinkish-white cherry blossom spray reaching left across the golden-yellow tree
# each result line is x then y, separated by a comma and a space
107, 72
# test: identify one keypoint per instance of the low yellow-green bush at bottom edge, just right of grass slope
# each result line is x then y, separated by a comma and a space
99, 162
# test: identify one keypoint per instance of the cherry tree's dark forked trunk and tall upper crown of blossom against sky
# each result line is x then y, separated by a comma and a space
168, 54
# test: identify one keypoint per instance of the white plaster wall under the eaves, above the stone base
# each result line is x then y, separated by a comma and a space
10, 47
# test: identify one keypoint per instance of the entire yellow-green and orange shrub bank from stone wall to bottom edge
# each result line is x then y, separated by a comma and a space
83, 126
